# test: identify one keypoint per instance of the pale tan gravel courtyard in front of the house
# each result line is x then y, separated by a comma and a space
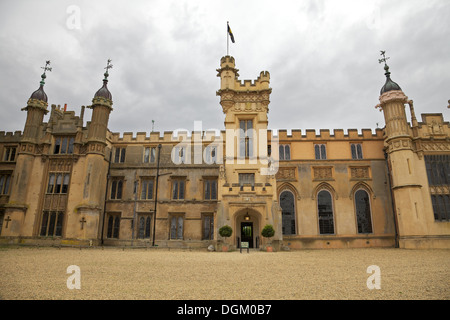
114, 273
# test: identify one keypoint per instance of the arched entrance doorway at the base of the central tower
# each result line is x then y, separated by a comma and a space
248, 228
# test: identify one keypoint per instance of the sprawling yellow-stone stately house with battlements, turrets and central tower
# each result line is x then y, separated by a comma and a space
69, 181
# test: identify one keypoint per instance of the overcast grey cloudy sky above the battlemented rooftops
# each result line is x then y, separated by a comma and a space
322, 57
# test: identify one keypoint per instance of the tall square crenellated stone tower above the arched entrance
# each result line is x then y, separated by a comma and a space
248, 200
